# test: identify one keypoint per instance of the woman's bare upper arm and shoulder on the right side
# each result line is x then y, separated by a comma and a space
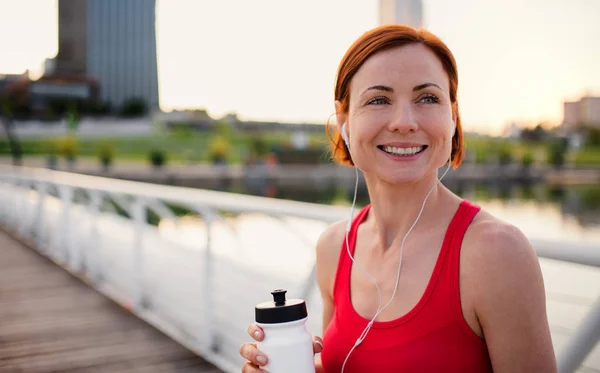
510, 300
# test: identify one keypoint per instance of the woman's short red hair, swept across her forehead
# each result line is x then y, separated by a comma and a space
380, 39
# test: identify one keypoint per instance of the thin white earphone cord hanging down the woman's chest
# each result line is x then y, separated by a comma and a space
363, 335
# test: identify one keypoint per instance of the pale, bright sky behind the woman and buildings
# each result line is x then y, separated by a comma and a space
276, 60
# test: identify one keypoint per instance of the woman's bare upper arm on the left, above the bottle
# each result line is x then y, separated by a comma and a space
328, 252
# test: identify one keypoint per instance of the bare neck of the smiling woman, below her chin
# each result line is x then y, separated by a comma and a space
396, 207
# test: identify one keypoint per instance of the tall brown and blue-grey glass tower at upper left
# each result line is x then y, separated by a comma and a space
113, 41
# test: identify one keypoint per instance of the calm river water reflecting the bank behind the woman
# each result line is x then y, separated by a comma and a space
565, 213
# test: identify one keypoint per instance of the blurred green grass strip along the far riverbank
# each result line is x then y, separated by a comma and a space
188, 146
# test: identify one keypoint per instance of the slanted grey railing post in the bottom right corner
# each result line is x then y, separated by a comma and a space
581, 343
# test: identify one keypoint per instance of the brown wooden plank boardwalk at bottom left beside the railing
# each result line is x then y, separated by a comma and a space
51, 321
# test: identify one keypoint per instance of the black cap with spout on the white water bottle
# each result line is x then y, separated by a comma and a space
280, 310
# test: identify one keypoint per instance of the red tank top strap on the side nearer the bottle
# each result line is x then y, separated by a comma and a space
341, 285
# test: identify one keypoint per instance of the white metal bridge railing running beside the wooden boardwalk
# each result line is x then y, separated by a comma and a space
203, 294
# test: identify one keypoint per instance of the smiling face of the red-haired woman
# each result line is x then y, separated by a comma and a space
400, 119
